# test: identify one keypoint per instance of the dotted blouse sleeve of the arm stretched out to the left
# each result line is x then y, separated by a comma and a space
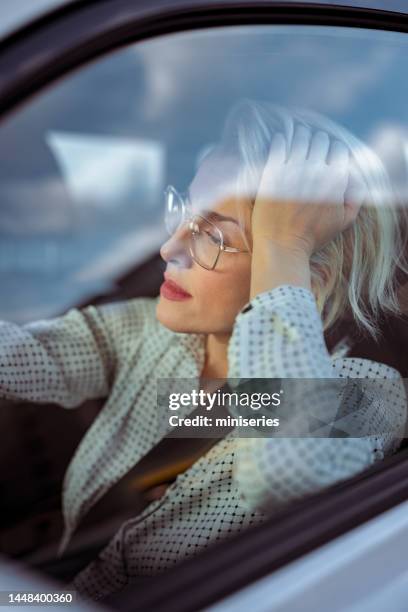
70, 358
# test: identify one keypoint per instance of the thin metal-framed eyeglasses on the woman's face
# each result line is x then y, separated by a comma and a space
206, 239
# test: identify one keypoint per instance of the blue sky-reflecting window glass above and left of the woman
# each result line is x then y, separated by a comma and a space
83, 166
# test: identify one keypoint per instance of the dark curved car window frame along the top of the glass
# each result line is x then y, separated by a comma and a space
67, 38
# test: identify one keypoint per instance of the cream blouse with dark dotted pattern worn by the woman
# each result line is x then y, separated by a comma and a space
118, 351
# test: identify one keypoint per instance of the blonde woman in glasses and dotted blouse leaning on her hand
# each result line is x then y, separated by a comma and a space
299, 205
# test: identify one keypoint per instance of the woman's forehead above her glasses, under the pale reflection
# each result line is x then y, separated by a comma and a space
214, 185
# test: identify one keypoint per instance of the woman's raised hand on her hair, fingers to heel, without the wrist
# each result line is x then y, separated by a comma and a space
301, 202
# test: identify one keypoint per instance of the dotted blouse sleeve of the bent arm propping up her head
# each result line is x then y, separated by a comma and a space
279, 334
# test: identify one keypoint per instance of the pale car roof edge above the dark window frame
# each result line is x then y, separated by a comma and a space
15, 14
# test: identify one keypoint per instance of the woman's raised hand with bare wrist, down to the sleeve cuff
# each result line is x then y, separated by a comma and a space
302, 203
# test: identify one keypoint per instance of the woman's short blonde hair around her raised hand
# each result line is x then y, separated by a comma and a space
357, 269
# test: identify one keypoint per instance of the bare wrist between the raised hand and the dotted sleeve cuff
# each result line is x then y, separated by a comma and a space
274, 265
